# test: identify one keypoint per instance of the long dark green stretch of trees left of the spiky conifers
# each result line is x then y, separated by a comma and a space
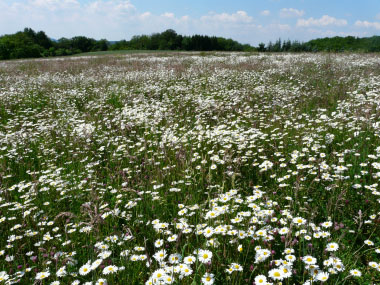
31, 44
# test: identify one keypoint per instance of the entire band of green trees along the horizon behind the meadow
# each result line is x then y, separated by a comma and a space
31, 44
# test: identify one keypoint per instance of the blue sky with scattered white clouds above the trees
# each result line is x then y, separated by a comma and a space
247, 21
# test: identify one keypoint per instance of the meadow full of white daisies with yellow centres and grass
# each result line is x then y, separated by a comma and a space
190, 168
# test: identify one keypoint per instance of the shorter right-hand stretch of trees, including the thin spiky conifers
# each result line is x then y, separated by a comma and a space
335, 44
